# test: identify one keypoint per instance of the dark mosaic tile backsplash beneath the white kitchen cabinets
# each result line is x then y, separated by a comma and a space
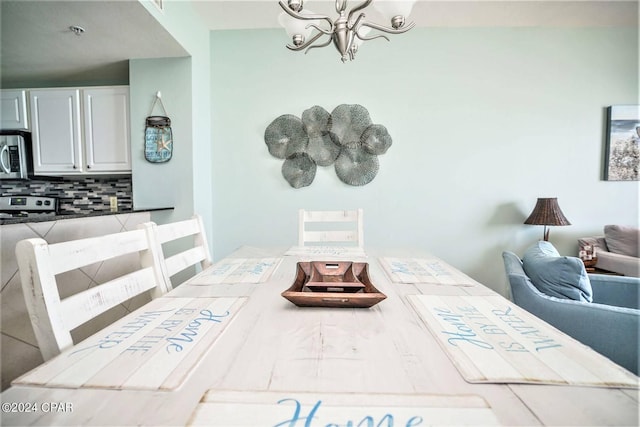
75, 195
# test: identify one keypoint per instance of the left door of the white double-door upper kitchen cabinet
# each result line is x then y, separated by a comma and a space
55, 126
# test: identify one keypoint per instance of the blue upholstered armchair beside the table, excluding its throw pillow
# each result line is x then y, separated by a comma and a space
610, 324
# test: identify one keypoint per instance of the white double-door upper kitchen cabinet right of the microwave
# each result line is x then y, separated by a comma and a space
81, 130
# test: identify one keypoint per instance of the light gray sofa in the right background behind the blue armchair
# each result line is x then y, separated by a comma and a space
617, 251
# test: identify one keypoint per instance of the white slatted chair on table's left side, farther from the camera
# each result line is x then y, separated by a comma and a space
197, 253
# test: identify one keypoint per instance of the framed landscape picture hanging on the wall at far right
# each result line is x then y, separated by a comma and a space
622, 151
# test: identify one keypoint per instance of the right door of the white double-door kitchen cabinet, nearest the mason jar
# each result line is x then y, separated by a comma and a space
106, 129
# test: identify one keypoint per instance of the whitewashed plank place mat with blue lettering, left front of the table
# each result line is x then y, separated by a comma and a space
154, 348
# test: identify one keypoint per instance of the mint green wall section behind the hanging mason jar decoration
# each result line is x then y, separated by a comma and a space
184, 182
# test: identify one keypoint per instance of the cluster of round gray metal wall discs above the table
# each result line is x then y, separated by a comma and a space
346, 138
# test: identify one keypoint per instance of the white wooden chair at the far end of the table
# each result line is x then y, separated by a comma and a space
331, 228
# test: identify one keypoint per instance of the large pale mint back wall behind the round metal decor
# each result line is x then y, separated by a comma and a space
483, 120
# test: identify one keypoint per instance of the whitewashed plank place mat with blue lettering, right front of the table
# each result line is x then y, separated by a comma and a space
489, 339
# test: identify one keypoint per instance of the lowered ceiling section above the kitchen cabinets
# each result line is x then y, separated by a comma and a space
37, 45
